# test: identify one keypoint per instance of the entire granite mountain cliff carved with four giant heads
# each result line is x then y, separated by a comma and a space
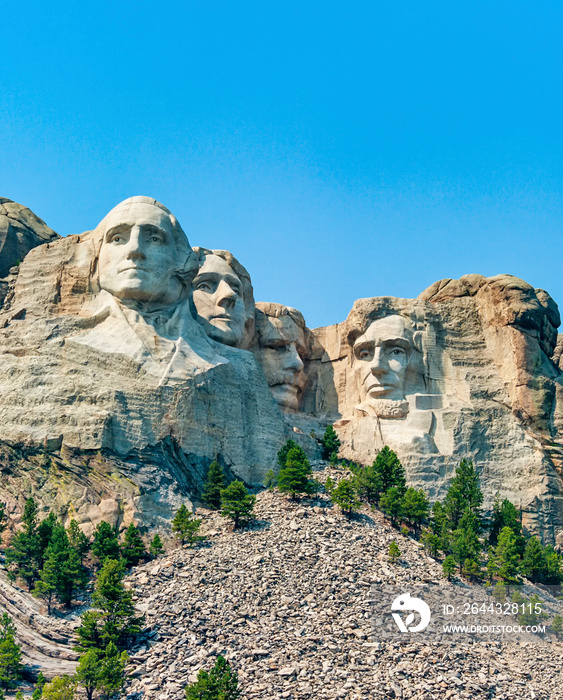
127, 343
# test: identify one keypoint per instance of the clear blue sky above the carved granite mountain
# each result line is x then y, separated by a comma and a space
339, 150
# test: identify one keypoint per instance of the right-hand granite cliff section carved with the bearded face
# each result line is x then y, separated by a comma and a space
465, 370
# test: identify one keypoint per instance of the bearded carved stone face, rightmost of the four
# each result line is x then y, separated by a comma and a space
380, 361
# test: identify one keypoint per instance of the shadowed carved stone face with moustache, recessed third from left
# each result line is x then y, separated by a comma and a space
280, 353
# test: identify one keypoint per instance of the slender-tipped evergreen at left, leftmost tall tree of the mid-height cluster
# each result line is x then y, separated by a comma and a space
23, 555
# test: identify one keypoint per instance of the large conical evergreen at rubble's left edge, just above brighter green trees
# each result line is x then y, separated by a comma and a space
112, 618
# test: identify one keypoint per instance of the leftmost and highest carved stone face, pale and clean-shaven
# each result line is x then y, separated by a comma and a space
138, 255
